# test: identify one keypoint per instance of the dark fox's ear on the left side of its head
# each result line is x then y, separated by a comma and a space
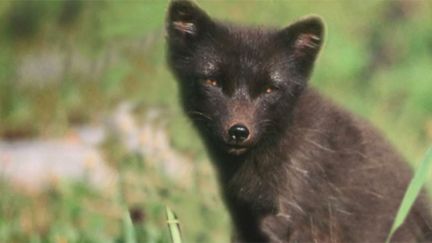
186, 22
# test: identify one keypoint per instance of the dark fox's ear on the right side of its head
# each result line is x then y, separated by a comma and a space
304, 38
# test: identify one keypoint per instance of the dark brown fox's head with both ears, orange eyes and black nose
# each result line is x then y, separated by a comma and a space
239, 85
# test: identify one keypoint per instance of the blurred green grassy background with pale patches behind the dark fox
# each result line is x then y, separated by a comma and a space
73, 69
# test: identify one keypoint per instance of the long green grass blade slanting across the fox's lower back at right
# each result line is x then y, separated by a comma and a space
412, 192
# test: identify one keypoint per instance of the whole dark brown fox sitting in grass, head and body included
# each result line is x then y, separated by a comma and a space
292, 166
